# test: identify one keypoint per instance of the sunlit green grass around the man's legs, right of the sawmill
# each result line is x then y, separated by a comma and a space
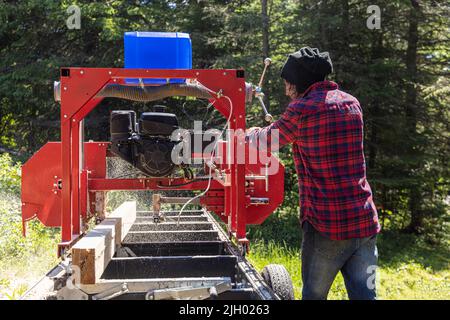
408, 267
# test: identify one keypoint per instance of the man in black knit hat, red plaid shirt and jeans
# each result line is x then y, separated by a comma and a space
338, 216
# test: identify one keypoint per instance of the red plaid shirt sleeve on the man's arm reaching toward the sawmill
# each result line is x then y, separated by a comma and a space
281, 132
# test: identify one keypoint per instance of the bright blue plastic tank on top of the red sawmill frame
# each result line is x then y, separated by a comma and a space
157, 50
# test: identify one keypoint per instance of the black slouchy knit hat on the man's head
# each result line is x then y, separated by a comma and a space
305, 67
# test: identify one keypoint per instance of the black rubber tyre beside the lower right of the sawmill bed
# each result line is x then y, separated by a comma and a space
279, 280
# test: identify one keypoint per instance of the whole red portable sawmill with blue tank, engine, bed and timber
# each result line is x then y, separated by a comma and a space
154, 254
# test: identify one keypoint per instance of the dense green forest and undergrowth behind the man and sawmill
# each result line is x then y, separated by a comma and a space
397, 64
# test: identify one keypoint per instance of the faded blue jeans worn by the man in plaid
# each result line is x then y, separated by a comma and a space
323, 258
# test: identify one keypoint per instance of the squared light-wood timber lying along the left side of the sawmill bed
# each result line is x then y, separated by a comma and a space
94, 251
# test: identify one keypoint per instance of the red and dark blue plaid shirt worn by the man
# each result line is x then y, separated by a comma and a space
325, 127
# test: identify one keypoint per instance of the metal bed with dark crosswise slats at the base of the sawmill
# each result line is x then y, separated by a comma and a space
187, 256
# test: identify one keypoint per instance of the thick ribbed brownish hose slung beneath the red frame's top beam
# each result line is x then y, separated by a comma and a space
152, 93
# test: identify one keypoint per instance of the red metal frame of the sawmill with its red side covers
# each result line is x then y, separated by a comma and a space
81, 172
